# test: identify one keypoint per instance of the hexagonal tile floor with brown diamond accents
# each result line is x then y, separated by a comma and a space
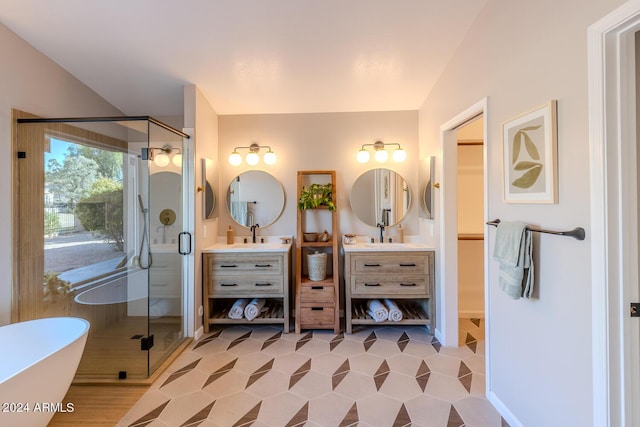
380, 376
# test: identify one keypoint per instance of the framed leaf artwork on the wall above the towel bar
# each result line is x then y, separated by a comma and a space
530, 156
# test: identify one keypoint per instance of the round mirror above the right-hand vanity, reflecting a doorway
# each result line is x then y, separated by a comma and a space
380, 196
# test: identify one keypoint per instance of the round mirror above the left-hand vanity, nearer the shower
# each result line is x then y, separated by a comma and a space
255, 197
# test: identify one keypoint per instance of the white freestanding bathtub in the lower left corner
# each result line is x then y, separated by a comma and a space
38, 361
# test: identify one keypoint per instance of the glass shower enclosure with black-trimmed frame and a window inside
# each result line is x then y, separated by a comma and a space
101, 236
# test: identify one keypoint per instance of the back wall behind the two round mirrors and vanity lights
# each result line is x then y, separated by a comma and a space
323, 141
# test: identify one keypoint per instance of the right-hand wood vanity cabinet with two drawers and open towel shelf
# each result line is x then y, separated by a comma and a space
405, 277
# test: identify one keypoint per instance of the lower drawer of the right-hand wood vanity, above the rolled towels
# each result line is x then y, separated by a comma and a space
392, 285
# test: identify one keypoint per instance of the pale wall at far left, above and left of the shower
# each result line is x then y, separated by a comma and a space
31, 82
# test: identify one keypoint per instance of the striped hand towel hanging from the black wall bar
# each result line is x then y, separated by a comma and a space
512, 250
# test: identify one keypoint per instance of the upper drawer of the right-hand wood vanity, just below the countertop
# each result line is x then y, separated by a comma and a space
388, 263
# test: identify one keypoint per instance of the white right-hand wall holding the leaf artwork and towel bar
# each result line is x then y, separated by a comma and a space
521, 55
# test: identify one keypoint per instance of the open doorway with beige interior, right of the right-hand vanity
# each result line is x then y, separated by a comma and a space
470, 164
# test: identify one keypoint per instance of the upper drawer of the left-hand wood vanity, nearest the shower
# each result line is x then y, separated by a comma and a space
242, 265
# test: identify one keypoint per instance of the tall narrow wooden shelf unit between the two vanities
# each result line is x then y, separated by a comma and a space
317, 302
